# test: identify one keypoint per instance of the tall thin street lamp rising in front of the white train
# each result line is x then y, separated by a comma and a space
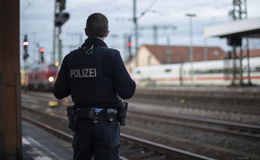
191, 15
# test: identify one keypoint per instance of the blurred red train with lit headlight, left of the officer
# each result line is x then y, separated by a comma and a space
41, 77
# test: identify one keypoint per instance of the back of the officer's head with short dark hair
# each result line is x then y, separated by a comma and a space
96, 25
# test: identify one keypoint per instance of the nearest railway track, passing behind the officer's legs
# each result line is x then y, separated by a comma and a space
145, 149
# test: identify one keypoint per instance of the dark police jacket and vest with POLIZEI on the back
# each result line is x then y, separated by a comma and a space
93, 75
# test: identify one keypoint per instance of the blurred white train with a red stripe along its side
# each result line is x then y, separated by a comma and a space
217, 72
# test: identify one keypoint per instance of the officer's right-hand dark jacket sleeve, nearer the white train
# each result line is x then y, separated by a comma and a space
122, 82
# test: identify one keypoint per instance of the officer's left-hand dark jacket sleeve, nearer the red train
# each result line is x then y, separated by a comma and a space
61, 87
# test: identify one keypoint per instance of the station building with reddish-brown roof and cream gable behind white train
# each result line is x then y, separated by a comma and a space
149, 55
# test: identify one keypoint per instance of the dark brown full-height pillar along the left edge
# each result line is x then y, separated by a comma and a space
10, 119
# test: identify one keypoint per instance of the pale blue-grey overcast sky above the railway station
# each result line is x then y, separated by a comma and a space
37, 21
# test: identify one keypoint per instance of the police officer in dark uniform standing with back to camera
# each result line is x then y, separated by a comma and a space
94, 75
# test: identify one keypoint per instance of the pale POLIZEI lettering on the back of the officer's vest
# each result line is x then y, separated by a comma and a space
83, 73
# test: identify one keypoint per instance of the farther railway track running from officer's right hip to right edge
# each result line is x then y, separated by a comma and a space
213, 125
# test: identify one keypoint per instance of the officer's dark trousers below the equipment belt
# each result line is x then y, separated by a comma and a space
100, 141
